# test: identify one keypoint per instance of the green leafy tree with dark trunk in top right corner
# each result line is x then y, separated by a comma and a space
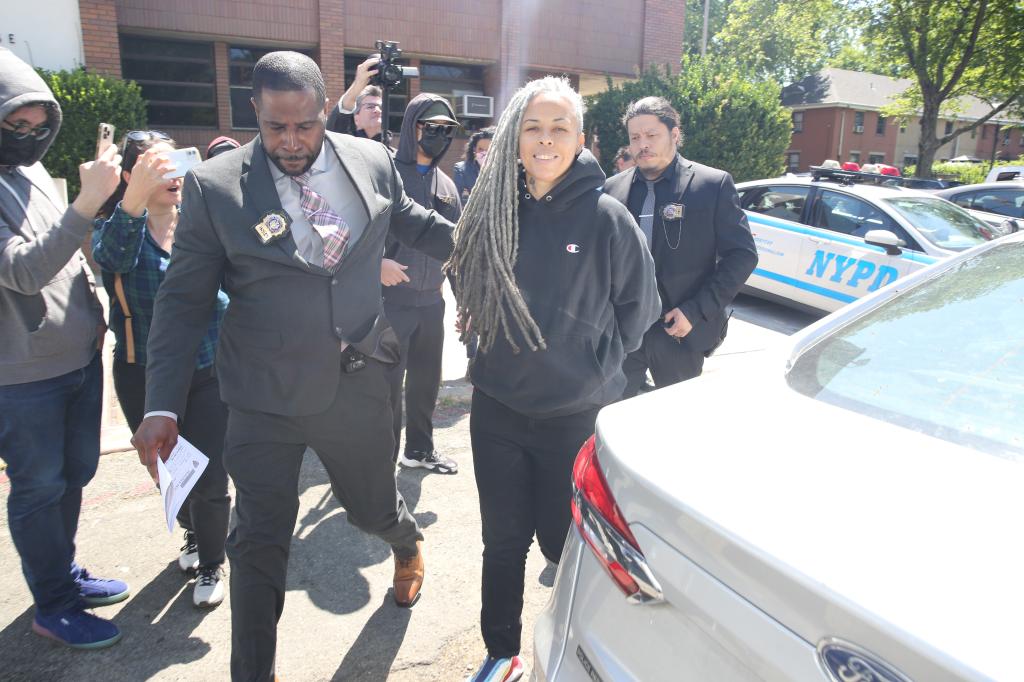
952, 50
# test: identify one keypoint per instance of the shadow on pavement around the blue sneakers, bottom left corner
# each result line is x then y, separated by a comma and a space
156, 623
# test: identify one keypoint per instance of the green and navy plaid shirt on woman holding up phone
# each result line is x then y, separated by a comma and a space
122, 244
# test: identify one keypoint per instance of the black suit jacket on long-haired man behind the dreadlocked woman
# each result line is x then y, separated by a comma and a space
704, 260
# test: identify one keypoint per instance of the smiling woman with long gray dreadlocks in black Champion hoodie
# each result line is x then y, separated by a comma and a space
558, 282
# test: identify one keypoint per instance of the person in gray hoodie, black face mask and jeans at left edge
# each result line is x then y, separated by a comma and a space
51, 376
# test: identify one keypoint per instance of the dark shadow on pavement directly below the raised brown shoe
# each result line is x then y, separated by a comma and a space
373, 653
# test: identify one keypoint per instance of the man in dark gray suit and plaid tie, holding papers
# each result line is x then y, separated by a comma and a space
293, 225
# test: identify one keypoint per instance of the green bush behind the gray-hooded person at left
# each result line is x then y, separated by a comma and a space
87, 101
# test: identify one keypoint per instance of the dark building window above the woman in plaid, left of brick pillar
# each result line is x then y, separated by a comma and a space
178, 80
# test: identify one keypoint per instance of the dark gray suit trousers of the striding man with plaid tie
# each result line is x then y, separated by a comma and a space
264, 455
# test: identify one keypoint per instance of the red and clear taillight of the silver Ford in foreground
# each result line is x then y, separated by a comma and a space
606, 531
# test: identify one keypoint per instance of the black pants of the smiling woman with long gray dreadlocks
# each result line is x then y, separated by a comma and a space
524, 472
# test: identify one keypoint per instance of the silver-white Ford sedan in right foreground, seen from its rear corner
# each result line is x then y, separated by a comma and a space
849, 510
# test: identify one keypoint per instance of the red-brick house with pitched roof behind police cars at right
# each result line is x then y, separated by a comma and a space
836, 115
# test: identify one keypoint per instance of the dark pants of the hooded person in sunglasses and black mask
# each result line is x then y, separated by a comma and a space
421, 333
